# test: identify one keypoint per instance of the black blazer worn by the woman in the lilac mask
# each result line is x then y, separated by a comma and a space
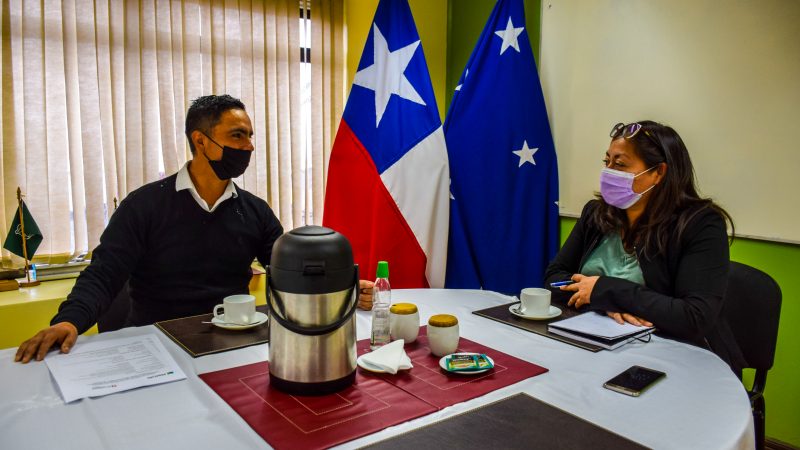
684, 288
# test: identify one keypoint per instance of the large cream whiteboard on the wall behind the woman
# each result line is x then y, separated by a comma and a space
724, 74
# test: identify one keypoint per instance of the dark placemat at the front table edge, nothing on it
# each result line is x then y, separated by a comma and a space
519, 421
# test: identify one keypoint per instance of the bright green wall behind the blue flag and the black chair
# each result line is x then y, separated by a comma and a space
466, 19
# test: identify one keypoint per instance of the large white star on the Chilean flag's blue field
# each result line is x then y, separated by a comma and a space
385, 75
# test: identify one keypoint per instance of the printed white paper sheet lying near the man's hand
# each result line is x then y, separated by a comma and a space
94, 369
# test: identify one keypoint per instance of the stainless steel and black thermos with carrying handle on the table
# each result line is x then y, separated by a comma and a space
312, 293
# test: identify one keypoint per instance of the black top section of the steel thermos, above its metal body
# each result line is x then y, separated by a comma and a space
312, 260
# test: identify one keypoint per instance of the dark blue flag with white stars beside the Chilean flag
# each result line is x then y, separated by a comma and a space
503, 169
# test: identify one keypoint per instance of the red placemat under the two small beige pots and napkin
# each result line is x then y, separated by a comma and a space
441, 389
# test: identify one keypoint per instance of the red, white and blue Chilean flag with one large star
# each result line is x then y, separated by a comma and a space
388, 176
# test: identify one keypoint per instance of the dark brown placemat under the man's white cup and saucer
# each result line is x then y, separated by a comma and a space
199, 338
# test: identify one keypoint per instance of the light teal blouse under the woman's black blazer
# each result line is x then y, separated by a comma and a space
610, 259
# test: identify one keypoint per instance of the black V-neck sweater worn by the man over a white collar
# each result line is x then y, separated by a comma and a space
180, 260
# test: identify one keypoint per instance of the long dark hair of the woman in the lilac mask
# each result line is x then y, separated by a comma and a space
671, 205
